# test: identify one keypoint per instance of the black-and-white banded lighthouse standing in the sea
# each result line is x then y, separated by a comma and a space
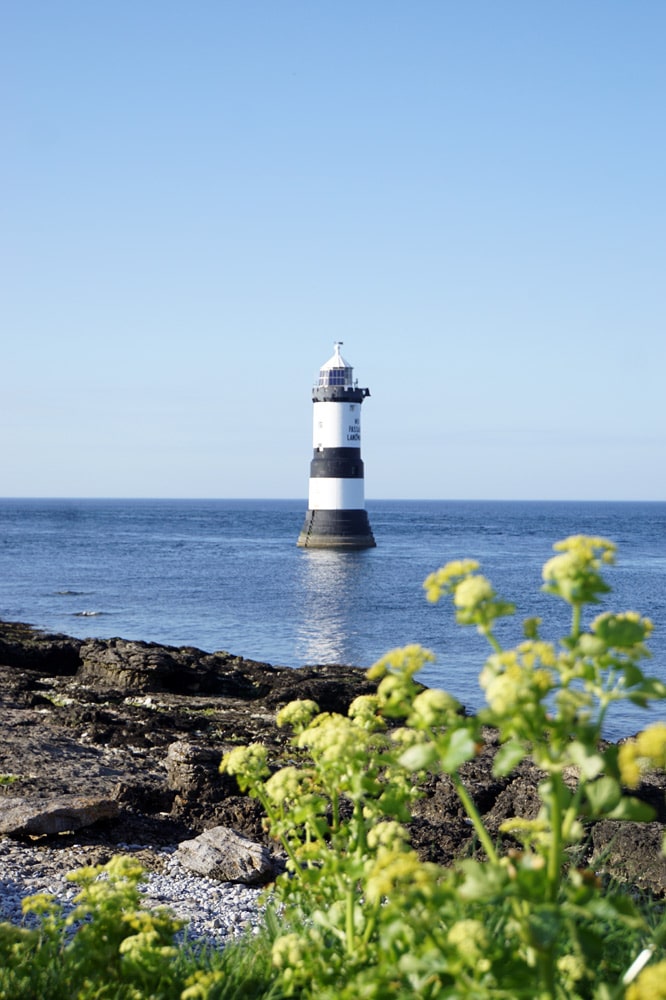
336, 517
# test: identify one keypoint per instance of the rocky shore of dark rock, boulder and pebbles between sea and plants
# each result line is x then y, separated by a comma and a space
112, 746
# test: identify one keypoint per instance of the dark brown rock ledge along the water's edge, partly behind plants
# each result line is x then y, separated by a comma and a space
146, 726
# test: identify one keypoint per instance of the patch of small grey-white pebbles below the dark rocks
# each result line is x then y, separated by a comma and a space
214, 911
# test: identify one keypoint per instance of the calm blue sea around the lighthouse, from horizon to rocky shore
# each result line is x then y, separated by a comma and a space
227, 575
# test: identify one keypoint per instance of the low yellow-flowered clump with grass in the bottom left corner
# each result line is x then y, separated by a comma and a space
109, 948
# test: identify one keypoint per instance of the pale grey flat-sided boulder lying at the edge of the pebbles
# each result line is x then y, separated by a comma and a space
223, 854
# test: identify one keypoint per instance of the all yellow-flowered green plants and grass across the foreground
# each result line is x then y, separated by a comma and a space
357, 915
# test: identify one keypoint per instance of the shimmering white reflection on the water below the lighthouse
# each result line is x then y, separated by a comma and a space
330, 585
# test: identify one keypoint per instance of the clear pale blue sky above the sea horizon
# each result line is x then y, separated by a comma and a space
199, 197
